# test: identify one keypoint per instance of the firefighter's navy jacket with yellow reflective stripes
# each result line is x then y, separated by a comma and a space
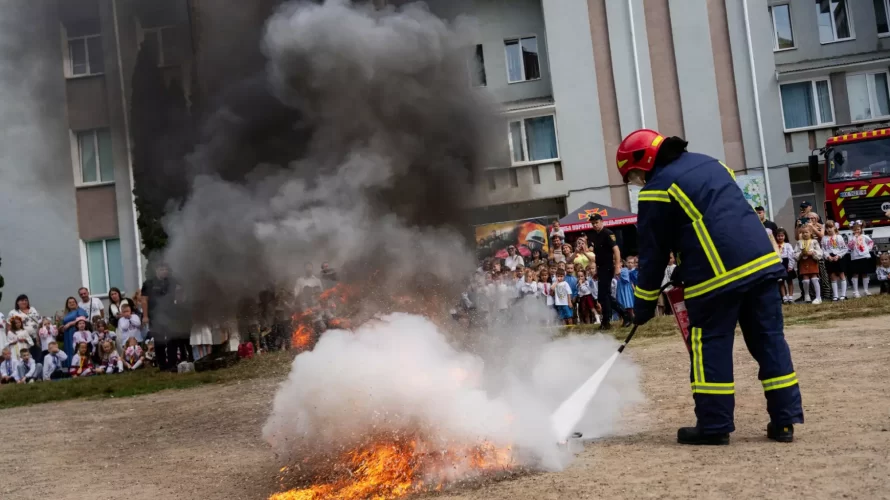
694, 208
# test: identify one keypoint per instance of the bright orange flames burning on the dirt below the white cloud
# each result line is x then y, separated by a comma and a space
388, 470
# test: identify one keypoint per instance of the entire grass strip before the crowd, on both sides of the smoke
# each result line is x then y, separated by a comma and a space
277, 365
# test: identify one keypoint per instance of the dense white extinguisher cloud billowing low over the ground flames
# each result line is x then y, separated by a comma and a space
399, 376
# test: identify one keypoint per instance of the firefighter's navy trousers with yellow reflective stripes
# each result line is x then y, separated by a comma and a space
758, 311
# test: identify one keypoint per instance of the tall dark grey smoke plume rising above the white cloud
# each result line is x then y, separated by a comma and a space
358, 146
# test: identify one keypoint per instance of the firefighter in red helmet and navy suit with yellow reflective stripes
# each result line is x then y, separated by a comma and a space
691, 205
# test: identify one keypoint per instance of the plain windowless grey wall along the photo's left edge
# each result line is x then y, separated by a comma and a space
39, 242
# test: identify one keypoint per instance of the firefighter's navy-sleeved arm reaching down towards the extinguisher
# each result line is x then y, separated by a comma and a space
654, 223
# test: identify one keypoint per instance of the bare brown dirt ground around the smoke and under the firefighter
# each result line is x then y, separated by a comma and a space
205, 443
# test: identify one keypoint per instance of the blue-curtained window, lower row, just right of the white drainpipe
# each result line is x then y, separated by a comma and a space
806, 104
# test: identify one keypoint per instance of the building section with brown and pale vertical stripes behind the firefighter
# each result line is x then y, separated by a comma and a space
574, 76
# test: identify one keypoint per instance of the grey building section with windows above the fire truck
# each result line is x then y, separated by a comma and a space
831, 69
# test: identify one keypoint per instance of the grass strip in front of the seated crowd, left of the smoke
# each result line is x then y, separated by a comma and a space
269, 365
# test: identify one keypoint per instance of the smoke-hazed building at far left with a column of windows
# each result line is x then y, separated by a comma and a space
68, 217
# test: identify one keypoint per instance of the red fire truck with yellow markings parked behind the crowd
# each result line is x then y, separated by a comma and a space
856, 166
